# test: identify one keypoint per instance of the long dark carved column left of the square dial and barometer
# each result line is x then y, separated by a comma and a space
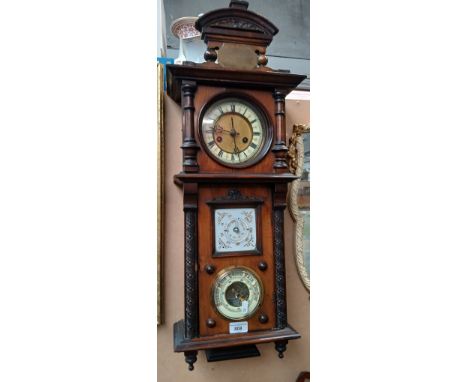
191, 260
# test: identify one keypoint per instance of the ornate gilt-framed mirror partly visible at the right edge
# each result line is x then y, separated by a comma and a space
299, 201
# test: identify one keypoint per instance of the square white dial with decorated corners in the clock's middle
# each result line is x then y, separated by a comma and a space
235, 229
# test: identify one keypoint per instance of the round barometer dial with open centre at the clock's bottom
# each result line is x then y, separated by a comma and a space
237, 293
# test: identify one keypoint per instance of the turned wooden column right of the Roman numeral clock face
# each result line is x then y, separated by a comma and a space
280, 149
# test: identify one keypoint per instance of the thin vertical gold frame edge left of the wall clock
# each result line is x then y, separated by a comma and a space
160, 194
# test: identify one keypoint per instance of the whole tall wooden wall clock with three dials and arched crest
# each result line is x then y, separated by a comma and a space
234, 179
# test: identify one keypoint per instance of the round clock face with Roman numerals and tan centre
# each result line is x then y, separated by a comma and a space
234, 131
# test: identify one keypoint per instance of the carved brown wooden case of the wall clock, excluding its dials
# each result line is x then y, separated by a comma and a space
207, 184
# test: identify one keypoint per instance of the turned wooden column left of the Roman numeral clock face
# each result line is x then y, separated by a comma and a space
189, 145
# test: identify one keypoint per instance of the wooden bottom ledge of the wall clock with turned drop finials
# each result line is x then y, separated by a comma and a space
230, 346
